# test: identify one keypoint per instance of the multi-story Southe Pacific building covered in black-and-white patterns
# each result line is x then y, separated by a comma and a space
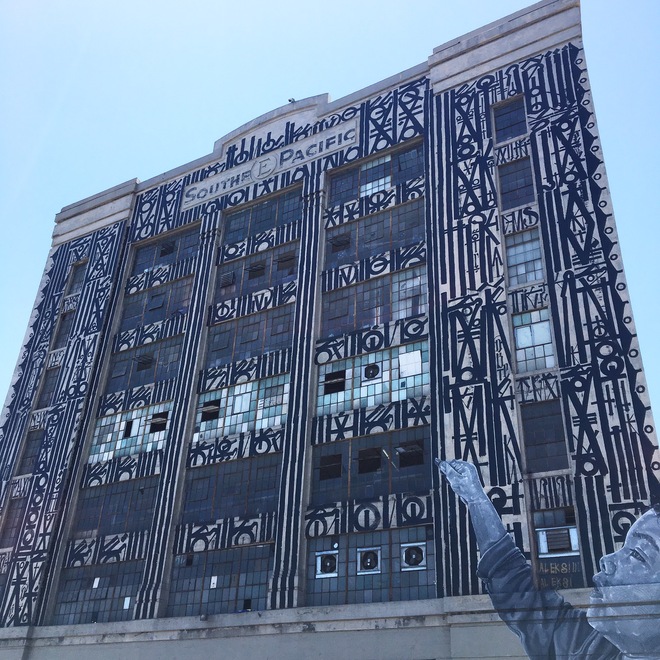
222, 426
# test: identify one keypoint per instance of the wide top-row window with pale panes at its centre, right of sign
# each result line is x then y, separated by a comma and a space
377, 174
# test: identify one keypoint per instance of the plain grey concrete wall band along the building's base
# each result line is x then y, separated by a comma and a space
461, 627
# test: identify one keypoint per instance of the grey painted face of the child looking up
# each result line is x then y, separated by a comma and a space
625, 603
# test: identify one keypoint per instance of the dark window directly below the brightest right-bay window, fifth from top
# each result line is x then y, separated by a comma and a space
543, 431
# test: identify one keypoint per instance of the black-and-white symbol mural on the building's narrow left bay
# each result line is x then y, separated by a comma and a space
83, 269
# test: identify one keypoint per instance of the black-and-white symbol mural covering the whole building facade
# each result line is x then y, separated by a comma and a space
454, 378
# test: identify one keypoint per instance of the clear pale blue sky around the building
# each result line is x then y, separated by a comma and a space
96, 93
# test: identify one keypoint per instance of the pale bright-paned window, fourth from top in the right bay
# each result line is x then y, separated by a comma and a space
533, 341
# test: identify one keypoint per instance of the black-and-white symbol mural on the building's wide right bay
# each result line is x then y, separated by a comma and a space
597, 372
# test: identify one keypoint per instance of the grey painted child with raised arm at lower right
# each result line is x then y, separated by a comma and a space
624, 604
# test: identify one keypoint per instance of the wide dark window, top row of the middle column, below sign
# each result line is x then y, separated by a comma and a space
274, 212
